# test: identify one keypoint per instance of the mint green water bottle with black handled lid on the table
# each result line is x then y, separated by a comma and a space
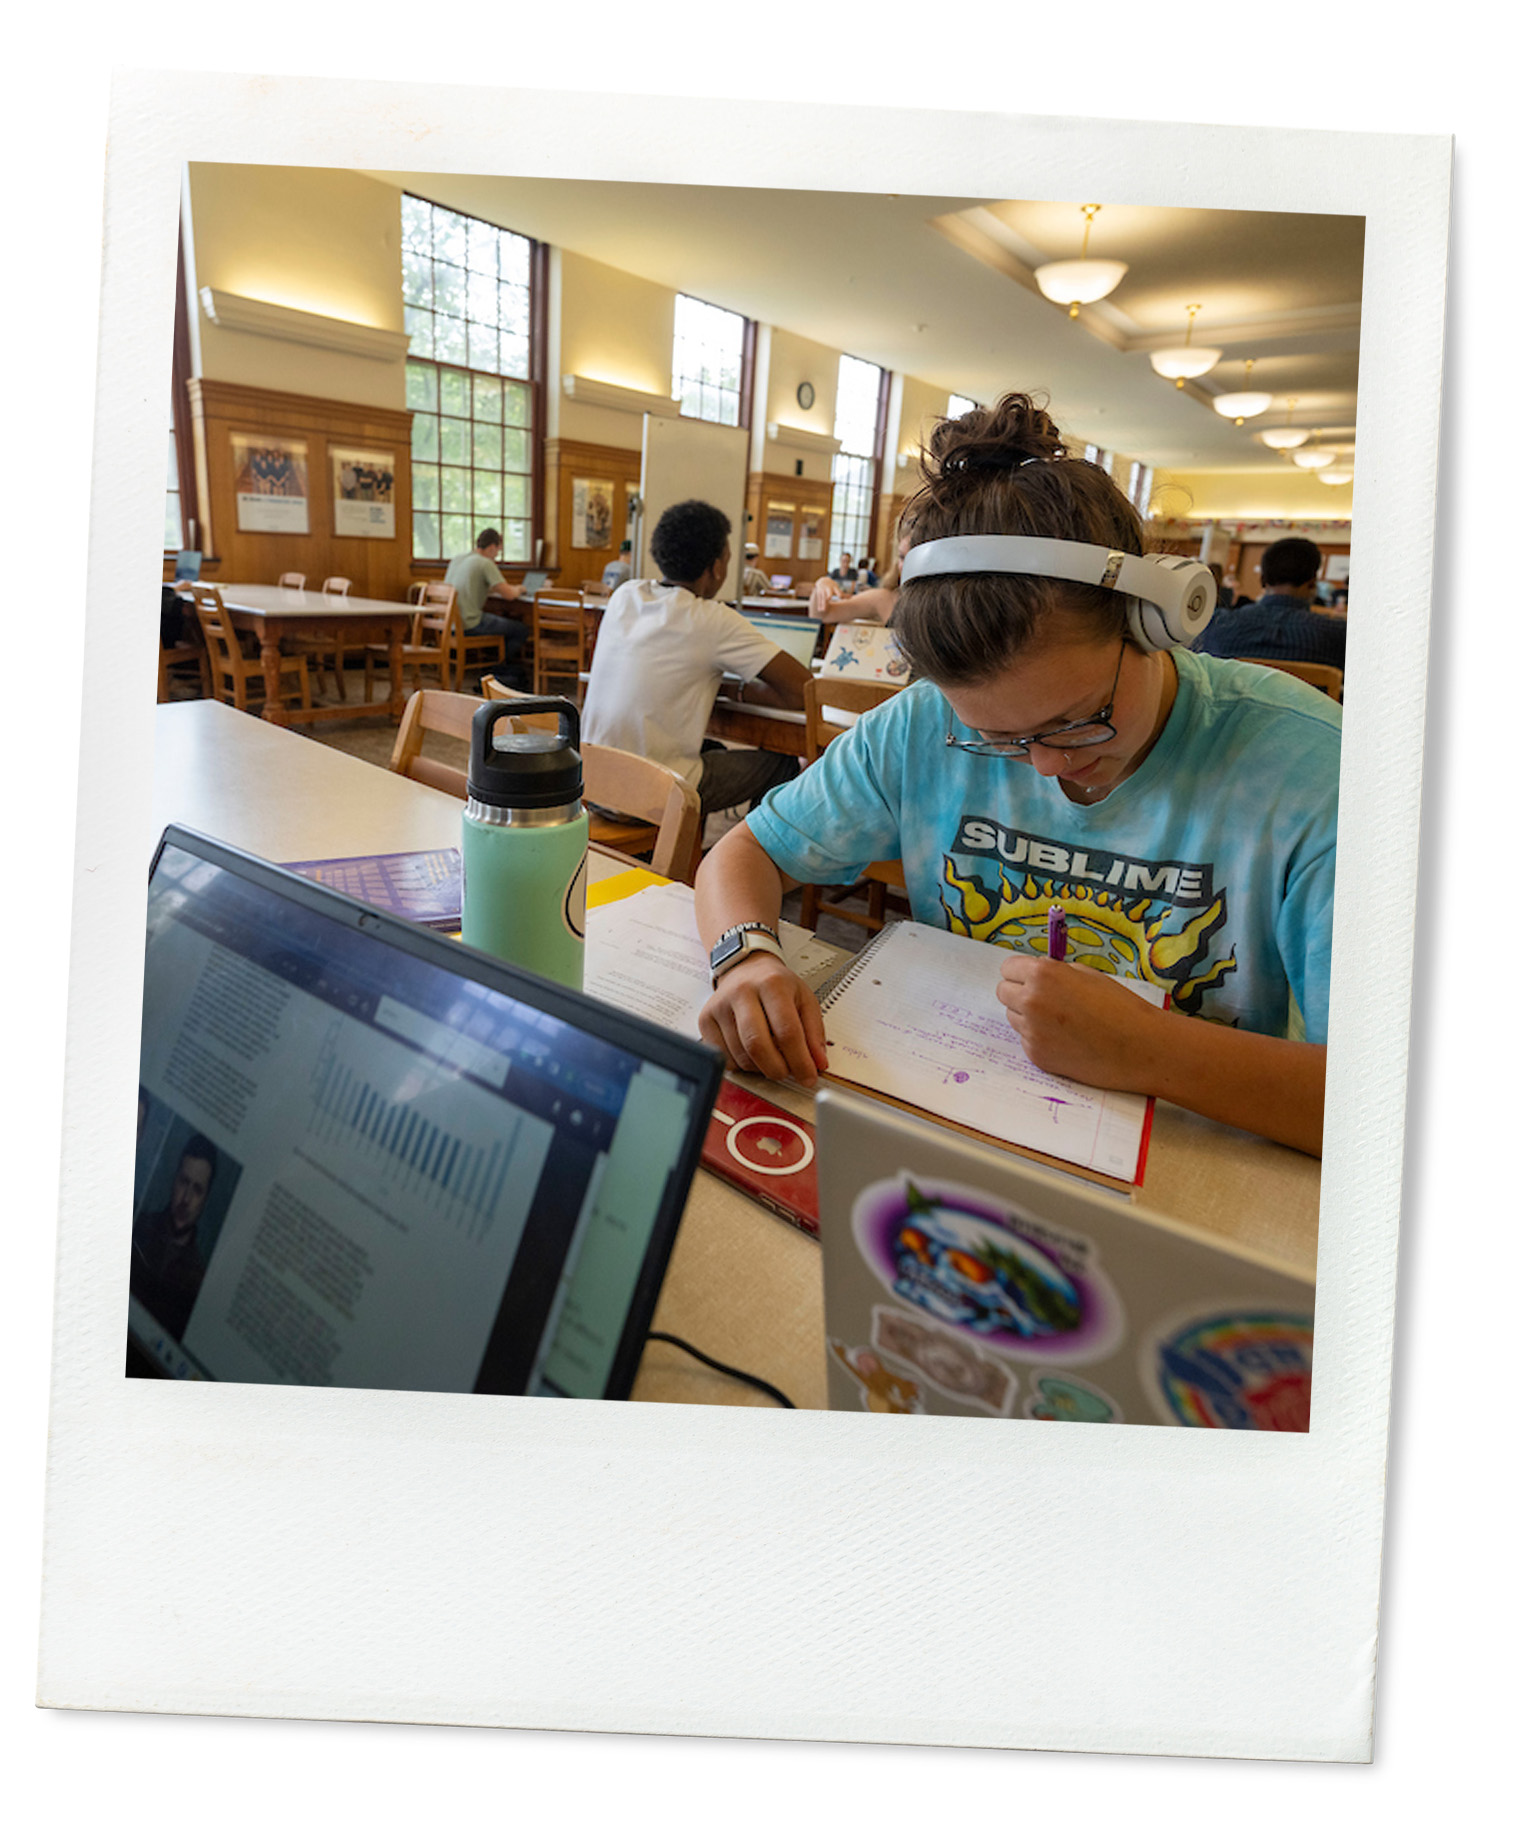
525, 841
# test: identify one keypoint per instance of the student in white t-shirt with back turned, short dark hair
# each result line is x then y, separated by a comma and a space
660, 658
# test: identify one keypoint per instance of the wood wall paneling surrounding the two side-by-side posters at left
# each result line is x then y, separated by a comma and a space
379, 567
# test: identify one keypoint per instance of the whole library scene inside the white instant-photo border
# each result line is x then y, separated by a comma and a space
865, 1002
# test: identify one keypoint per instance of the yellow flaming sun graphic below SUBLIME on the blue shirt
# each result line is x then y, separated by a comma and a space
1119, 934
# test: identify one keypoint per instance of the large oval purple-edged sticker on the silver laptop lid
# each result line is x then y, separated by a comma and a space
1015, 1283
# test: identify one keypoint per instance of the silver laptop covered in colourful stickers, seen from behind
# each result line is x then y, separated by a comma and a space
962, 1281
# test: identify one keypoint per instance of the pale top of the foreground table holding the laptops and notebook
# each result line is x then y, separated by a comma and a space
742, 1285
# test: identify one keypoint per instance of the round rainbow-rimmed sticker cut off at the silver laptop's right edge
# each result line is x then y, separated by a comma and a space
1243, 1369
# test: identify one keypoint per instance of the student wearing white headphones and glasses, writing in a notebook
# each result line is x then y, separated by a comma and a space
1181, 810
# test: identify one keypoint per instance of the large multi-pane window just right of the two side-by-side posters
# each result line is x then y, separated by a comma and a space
468, 381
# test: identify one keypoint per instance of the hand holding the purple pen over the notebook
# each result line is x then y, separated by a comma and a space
1080, 1023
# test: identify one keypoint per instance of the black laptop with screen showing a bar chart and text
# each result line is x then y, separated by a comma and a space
370, 1157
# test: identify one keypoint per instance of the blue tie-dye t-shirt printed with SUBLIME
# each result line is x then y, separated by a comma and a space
1210, 870
